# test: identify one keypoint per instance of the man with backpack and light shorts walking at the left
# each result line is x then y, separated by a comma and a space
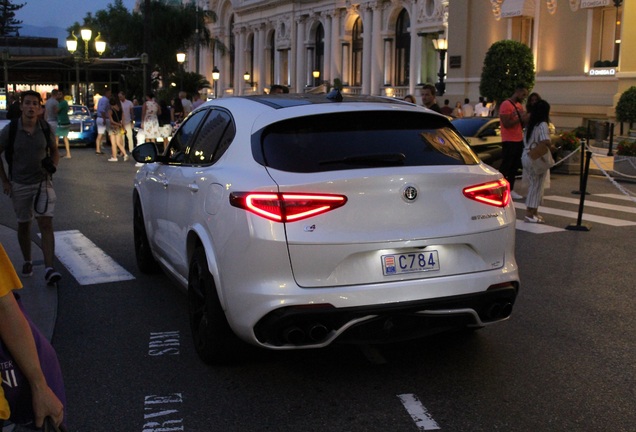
32, 159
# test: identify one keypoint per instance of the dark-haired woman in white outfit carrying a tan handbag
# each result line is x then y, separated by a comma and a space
537, 158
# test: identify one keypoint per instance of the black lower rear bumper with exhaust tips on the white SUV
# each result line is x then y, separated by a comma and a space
319, 325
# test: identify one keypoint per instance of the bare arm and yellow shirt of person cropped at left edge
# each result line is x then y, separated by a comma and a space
17, 338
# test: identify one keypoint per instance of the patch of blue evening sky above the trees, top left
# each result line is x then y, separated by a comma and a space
61, 13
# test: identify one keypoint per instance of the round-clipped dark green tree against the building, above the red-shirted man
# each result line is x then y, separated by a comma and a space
507, 64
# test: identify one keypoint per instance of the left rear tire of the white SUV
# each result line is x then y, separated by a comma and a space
214, 340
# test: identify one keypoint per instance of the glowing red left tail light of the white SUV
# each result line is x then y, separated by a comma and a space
286, 207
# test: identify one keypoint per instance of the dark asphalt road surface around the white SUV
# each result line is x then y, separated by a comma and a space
565, 361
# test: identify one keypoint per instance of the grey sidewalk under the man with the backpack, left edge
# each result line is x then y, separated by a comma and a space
39, 300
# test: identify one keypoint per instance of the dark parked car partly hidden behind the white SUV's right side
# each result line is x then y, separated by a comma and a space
484, 136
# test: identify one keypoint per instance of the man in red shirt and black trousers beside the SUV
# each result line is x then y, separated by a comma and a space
513, 117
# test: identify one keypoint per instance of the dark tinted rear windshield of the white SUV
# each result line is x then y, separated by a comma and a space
362, 139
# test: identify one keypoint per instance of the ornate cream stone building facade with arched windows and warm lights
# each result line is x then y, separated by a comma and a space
385, 47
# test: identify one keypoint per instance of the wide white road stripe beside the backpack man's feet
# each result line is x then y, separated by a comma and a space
85, 261
